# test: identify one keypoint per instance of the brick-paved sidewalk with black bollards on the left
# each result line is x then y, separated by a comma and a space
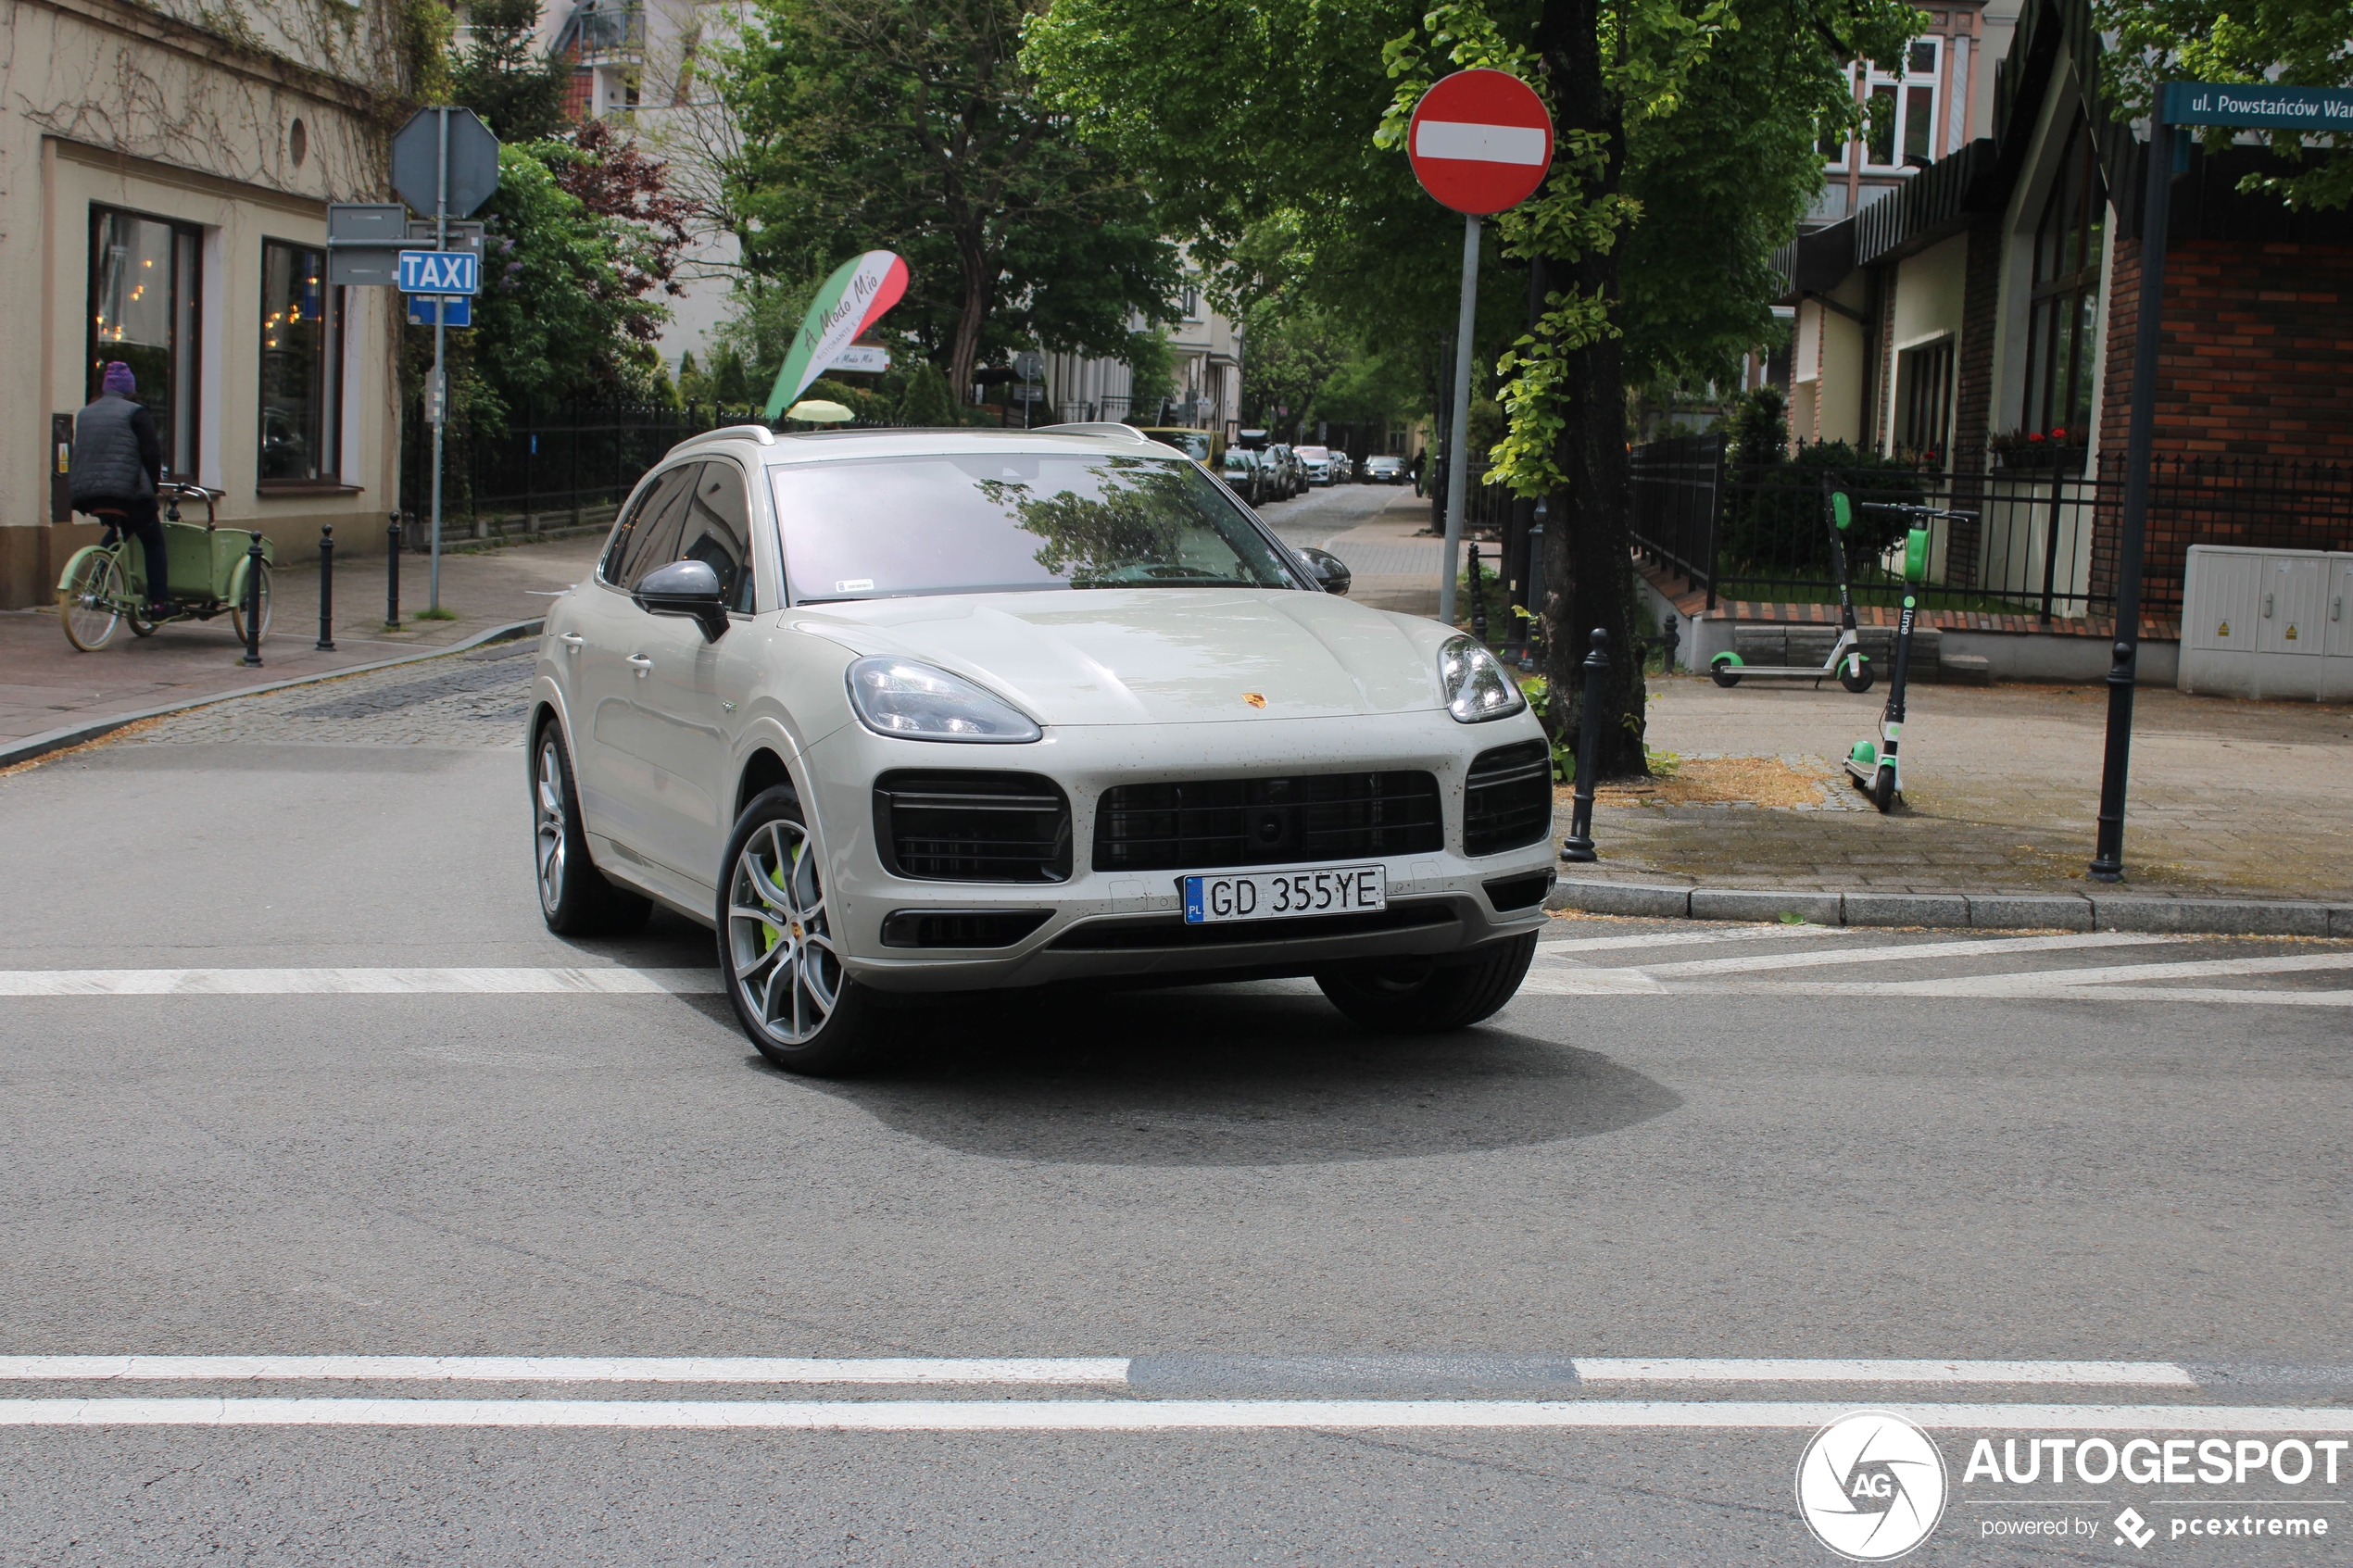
46, 685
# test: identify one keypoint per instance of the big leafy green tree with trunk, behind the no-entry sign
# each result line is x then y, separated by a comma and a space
1700, 114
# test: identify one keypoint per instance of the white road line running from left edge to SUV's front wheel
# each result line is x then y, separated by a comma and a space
356, 981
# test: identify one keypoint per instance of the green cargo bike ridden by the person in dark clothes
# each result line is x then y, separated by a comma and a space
105, 584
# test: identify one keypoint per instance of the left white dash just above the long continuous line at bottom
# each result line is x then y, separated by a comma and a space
578, 1369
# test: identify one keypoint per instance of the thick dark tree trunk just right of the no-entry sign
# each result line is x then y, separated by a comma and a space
1587, 544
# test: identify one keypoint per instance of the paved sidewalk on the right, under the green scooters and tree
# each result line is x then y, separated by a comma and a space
2001, 796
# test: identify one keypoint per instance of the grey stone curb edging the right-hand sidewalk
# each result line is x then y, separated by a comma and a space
1966, 911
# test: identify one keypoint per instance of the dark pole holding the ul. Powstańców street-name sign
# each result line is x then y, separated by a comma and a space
2109, 855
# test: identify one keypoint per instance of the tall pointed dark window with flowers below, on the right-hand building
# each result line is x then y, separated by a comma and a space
2062, 330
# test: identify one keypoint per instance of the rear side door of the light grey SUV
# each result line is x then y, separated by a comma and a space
606, 721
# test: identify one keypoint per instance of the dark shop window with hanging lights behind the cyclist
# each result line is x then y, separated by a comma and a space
142, 311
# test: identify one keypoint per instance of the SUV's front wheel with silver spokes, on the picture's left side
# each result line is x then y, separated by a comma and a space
780, 951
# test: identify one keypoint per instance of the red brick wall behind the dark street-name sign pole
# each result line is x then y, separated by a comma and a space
2258, 351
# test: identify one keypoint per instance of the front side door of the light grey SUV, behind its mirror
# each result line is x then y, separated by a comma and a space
695, 690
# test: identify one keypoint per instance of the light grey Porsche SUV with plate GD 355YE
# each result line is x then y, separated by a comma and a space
982, 711
